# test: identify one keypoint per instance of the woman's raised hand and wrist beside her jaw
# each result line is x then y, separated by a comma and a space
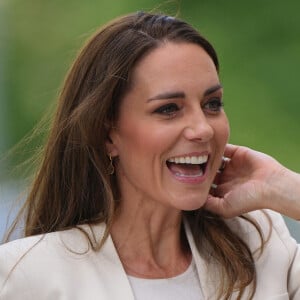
252, 180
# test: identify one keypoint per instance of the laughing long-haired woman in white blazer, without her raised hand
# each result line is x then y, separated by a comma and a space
117, 208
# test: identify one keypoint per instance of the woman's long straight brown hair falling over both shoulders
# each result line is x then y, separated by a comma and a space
73, 185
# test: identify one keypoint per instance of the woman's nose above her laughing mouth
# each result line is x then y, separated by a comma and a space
198, 127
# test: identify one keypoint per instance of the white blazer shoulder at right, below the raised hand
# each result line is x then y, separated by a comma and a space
277, 262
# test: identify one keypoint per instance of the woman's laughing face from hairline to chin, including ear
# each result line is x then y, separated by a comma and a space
172, 130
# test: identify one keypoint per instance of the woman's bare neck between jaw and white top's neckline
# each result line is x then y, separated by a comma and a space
150, 240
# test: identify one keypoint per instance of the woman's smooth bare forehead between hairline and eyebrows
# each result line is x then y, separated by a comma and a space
176, 62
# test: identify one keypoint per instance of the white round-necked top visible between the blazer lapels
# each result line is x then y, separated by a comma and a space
184, 286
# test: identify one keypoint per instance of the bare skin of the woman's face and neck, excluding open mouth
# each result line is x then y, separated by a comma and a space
172, 109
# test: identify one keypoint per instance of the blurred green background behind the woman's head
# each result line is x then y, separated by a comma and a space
258, 43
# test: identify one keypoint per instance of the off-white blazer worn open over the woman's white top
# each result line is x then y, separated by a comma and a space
61, 265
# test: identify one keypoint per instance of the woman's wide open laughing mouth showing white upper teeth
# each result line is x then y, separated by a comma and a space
188, 166
